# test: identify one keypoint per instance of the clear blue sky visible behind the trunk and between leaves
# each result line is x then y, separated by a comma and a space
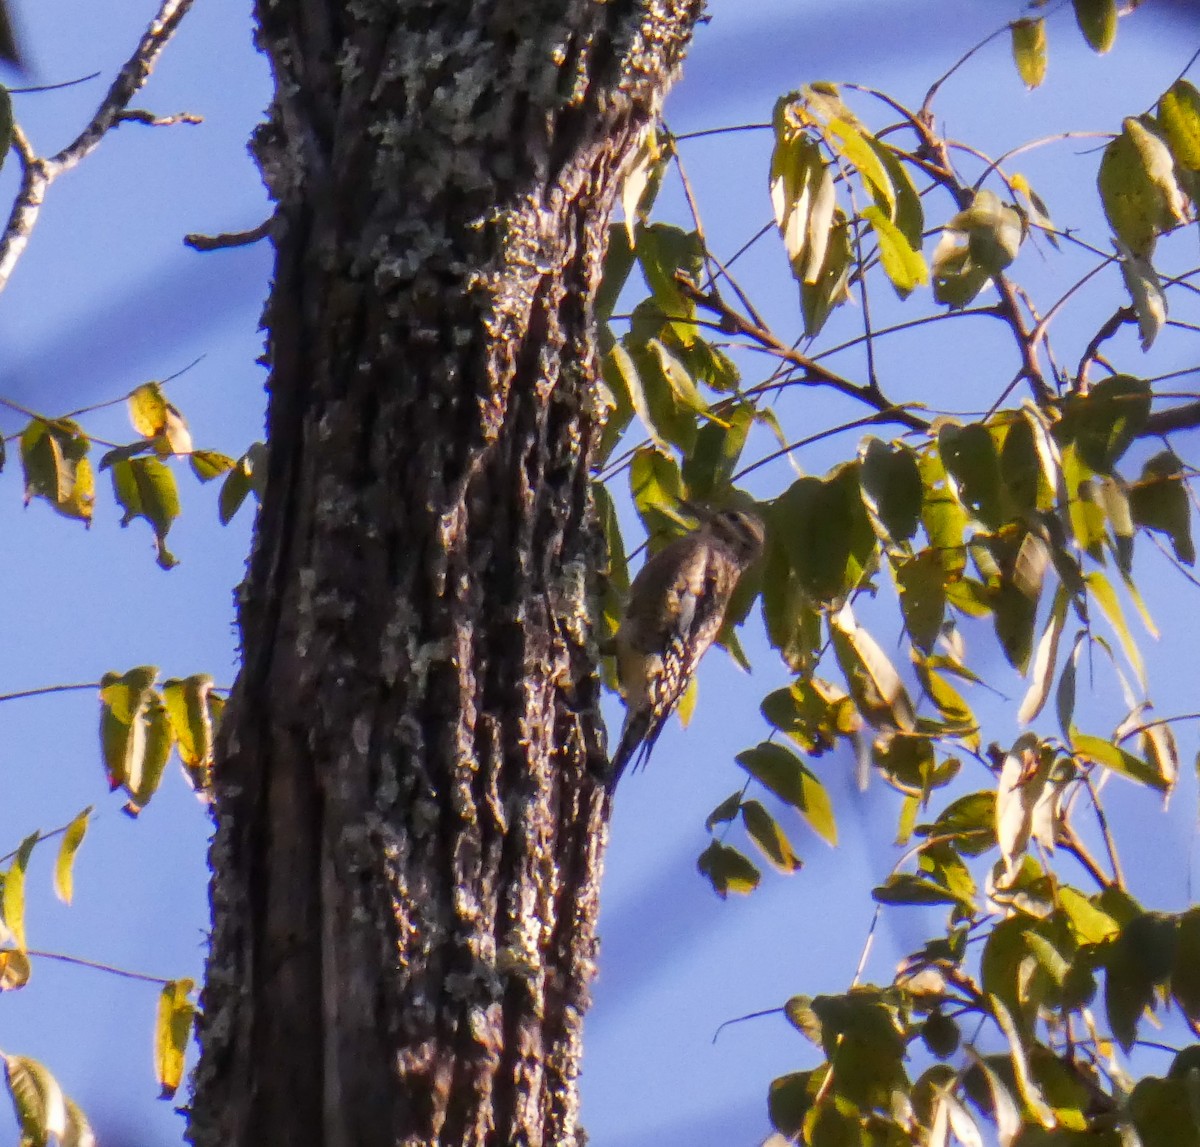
107, 298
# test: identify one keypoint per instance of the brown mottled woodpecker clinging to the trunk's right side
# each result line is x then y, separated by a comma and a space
676, 609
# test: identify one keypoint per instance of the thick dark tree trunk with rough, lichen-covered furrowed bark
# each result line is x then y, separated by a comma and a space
411, 786
